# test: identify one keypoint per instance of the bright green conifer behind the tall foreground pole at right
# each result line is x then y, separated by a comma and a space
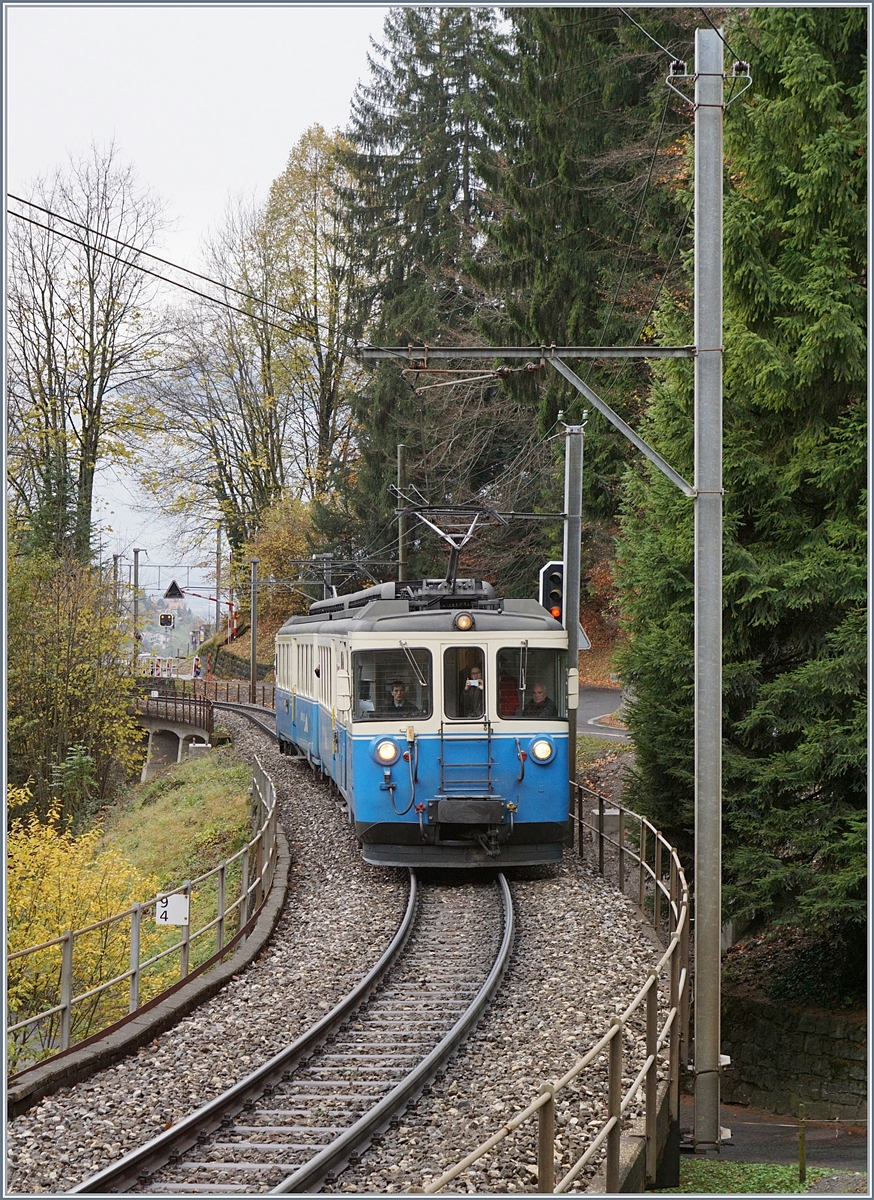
795, 477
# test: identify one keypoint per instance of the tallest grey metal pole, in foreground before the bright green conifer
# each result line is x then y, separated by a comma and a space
709, 579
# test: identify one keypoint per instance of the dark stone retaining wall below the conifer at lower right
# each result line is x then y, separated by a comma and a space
783, 1057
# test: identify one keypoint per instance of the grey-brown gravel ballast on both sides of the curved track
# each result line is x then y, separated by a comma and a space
580, 957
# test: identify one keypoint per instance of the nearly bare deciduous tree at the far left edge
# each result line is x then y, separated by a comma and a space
83, 337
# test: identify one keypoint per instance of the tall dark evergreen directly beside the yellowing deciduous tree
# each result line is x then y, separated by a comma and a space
417, 133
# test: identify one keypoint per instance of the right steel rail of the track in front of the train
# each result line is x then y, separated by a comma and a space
334, 1157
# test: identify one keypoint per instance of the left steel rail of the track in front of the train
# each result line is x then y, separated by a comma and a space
158, 1153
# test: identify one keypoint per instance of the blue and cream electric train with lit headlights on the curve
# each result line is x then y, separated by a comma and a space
440, 712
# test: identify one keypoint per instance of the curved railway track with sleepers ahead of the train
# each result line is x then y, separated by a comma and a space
314, 1107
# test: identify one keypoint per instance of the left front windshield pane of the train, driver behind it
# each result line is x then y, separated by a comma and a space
392, 683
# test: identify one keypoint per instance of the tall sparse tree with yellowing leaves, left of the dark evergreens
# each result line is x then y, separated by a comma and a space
258, 407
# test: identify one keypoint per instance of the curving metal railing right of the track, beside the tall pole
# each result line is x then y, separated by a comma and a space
662, 893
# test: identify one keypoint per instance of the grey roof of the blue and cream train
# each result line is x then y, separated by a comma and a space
423, 605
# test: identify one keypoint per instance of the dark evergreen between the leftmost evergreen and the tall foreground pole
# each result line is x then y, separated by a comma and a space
585, 229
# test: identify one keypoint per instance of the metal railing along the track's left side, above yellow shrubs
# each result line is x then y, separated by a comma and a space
224, 899
